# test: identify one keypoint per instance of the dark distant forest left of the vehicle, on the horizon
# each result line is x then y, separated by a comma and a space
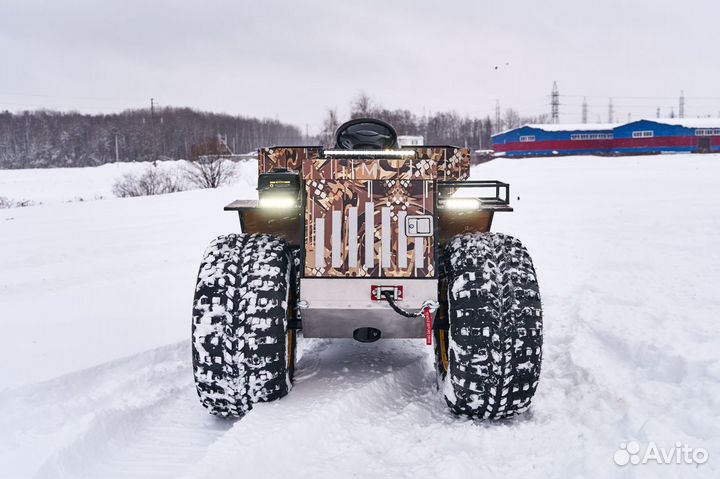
41, 139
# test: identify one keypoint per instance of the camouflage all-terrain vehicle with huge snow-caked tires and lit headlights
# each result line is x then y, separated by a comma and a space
369, 241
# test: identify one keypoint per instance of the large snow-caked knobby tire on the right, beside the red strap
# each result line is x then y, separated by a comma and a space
489, 357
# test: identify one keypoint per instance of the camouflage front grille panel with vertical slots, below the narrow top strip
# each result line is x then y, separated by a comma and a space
356, 228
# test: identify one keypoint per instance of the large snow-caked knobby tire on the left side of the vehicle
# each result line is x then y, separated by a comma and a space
243, 351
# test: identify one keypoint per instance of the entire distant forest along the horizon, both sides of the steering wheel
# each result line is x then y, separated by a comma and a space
41, 139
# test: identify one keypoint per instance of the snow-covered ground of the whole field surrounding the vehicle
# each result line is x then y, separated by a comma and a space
95, 301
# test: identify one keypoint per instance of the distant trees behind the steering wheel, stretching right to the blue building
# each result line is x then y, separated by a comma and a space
441, 128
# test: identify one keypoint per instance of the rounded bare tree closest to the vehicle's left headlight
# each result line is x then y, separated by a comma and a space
210, 164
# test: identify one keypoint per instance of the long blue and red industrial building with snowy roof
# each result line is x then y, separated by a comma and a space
638, 137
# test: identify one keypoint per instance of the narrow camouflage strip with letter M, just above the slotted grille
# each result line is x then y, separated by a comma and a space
369, 169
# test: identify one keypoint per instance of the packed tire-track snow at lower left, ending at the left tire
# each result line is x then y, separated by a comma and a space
131, 417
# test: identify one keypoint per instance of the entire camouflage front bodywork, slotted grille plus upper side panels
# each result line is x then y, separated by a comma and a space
355, 208
